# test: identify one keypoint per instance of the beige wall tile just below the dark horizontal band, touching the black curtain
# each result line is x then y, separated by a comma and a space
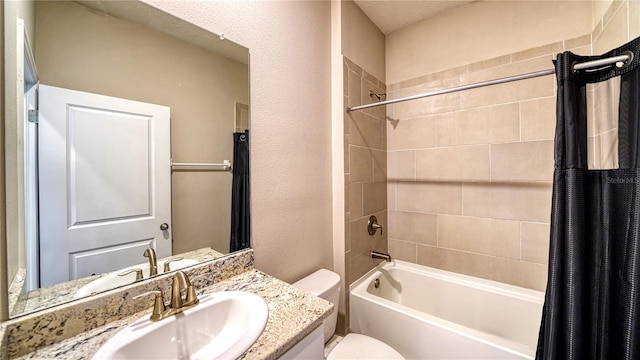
520, 201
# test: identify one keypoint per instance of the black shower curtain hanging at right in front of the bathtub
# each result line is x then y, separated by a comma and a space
592, 302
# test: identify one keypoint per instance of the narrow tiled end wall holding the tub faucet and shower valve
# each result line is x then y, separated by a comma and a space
365, 172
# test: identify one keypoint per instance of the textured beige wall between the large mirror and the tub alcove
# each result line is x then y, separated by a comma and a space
289, 44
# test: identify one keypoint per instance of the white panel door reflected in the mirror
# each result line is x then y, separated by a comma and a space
105, 186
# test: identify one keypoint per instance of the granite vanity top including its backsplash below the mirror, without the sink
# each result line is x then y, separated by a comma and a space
294, 323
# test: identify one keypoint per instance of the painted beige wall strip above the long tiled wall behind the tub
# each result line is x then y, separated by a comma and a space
482, 30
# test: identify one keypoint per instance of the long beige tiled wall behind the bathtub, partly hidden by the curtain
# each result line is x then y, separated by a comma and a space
470, 173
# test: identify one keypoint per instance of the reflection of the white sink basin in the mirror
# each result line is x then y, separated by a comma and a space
112, 280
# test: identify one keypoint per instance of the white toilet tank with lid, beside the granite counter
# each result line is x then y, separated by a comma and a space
324, 284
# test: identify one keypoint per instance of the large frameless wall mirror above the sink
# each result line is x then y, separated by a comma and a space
129, 51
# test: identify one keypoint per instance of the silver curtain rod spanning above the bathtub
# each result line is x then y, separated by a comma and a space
626, 58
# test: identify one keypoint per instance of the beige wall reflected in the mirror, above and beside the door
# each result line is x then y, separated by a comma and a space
80, 49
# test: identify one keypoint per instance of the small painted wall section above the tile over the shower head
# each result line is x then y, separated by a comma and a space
362, 41
